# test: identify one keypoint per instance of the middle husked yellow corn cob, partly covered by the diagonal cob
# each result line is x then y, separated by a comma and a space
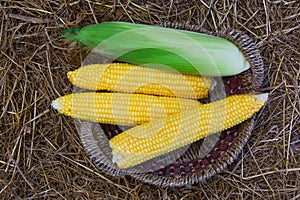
120, 108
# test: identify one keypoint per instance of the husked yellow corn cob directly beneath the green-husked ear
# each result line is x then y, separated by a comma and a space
123, 77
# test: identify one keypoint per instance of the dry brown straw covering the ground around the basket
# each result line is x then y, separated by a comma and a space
41, 156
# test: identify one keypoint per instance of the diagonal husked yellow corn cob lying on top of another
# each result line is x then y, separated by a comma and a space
159, 137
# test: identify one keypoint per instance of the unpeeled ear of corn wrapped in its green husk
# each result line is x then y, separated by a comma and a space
164, 48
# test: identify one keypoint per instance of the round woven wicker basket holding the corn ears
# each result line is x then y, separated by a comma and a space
191, 167
